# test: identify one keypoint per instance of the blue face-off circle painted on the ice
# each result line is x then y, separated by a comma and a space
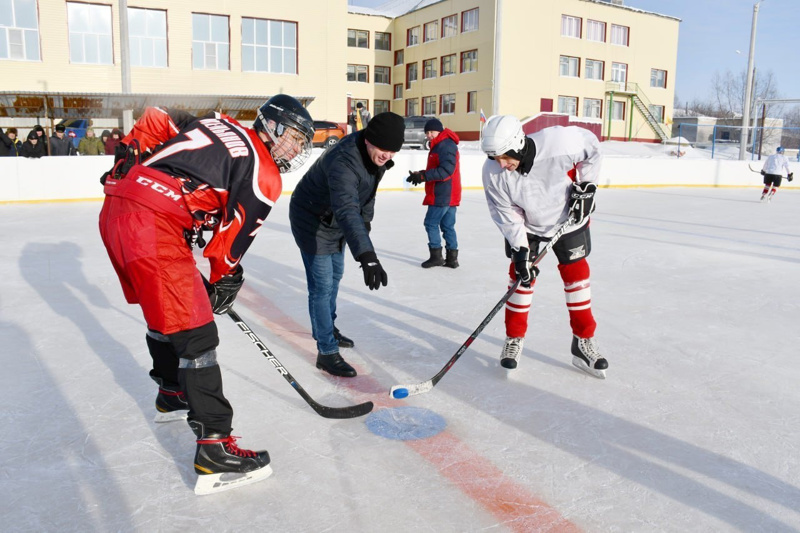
405, 423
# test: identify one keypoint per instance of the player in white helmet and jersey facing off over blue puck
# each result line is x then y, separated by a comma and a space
532, 185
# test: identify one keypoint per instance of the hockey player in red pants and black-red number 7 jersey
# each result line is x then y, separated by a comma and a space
206, 173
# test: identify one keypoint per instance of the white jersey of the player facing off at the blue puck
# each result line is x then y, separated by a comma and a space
539, 201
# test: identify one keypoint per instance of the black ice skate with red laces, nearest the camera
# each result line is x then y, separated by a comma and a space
221, 465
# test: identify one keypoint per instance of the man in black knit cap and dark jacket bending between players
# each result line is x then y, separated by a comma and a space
333, 204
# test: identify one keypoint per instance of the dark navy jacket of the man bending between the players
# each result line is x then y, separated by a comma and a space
334, 202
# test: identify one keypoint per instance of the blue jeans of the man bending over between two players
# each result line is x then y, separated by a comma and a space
323, 273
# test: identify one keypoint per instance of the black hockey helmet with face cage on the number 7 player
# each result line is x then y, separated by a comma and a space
278, 114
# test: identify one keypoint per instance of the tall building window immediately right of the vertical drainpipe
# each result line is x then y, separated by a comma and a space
147, 30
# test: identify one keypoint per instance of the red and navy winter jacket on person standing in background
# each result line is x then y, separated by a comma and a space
443, 173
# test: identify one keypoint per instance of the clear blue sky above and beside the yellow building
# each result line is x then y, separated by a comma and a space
712, 30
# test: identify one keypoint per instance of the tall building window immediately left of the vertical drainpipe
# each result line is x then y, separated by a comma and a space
89, 33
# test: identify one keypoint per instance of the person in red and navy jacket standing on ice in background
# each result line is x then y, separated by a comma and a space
442, 179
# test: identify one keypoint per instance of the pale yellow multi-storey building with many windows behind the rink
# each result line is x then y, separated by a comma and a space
600, 62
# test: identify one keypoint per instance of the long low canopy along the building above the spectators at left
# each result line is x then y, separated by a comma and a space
110, 105
